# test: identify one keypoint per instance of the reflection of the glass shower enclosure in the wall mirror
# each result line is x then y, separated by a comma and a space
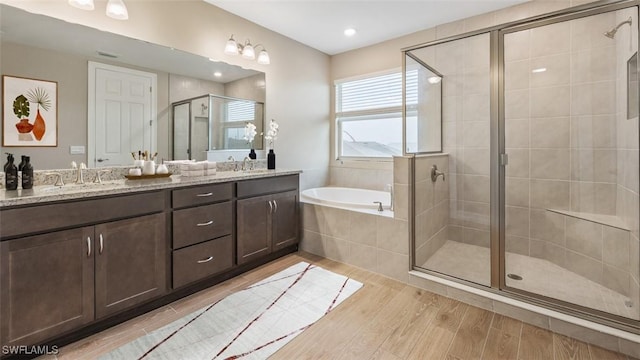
212, 122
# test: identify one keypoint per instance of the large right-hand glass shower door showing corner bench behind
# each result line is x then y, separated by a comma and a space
571, 183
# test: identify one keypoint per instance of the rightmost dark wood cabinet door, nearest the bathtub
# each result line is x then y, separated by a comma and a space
285, 220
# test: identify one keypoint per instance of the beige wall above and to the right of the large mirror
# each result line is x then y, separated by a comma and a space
297, 85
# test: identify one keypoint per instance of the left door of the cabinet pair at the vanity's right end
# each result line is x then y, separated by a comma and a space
254, 228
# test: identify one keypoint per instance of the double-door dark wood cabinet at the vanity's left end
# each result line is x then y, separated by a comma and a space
56, 282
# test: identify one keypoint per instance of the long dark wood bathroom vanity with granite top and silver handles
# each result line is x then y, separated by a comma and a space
74, 262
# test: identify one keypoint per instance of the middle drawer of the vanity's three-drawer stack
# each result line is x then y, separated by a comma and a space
198, 224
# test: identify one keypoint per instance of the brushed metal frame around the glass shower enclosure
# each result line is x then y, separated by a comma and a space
498, 161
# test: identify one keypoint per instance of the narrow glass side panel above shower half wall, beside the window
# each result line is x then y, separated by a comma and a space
423, 106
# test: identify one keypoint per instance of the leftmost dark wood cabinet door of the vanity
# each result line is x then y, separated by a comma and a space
47, 285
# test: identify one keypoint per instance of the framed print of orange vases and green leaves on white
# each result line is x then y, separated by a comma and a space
29, 112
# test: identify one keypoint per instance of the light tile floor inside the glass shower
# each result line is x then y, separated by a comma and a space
538, 276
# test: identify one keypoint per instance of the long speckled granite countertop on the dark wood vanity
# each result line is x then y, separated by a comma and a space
50, 193
